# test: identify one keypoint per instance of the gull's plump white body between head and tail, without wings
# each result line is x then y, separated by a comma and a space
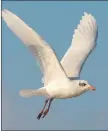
63, 89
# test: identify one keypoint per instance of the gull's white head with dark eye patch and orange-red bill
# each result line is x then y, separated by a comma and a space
83, 85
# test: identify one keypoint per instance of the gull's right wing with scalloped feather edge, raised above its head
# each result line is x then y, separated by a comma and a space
83, 42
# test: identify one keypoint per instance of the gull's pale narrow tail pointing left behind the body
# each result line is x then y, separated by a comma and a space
33, 92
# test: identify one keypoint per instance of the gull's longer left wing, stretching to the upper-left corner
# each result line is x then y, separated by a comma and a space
51, 67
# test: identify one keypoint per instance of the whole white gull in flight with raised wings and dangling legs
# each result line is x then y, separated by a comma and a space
61, 80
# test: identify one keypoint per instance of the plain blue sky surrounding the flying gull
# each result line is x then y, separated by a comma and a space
55, 22
